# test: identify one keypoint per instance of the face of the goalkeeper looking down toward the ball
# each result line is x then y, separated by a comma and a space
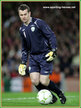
24, 15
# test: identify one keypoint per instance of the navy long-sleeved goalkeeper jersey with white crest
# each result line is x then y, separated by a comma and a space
37, 37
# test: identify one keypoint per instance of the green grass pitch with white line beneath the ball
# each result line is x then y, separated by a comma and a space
29, 99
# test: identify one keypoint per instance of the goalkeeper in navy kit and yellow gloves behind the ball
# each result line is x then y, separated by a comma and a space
39, 43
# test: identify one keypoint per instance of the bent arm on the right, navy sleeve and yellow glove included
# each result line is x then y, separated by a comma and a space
49, 34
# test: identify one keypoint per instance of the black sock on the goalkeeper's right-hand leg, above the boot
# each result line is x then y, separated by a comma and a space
53, 87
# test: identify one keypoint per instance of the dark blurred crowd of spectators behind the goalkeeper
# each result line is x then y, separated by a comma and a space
64, 23
